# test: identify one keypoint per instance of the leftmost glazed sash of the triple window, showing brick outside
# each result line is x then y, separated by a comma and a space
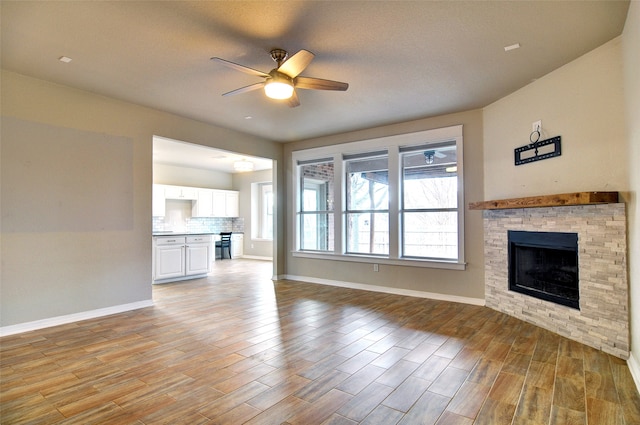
316, 206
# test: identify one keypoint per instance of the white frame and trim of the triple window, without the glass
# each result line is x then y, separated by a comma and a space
392, 144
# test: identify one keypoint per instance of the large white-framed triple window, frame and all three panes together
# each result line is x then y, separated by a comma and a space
395, 200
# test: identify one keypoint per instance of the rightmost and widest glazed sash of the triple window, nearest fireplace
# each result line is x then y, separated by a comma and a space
429, 212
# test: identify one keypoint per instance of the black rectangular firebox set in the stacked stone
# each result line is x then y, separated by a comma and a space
544, 265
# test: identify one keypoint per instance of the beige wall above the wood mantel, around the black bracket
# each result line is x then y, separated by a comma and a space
583, 103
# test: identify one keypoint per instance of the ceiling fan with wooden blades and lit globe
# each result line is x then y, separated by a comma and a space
281, 82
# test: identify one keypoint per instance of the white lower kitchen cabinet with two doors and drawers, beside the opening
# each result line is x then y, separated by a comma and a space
181, 257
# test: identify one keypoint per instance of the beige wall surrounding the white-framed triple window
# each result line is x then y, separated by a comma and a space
468, 283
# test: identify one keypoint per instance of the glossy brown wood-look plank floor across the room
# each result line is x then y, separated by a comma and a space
235, 348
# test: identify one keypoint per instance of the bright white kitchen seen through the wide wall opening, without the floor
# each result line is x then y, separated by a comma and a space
199, 193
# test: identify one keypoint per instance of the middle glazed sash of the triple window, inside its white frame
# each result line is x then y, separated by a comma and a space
367, 207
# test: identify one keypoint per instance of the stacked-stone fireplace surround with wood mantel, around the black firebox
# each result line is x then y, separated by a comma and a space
600, 222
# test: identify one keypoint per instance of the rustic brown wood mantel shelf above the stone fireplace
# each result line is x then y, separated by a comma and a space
561, 200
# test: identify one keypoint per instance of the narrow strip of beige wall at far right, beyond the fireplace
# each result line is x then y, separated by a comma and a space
631, 58
